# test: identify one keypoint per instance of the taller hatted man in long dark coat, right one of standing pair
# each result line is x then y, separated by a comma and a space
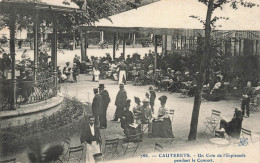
105, 101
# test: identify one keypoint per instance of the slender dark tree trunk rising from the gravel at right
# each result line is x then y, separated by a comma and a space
197, 98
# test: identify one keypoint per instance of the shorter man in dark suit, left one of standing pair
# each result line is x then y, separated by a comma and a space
97, 106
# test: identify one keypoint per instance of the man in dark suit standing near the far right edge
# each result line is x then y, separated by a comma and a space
248, 93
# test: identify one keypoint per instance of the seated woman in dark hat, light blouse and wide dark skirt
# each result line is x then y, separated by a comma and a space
162, 126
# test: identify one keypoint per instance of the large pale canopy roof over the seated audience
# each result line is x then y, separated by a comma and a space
174, 17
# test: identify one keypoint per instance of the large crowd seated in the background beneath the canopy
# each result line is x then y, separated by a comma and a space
166, 77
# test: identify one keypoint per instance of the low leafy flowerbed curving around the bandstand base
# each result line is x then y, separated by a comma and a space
55, 127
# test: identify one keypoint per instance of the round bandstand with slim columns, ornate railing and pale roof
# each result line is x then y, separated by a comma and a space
18, 91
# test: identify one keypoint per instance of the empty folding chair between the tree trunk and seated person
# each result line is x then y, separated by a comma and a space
212, 122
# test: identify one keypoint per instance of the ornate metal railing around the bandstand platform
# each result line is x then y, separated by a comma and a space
29, 92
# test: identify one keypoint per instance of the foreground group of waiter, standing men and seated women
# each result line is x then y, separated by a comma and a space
132, 118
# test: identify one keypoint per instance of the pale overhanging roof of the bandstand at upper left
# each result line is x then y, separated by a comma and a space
55, 5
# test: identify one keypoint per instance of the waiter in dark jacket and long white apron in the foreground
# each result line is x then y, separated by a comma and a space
91, 137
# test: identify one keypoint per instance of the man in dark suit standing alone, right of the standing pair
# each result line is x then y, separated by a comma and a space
120, 100
